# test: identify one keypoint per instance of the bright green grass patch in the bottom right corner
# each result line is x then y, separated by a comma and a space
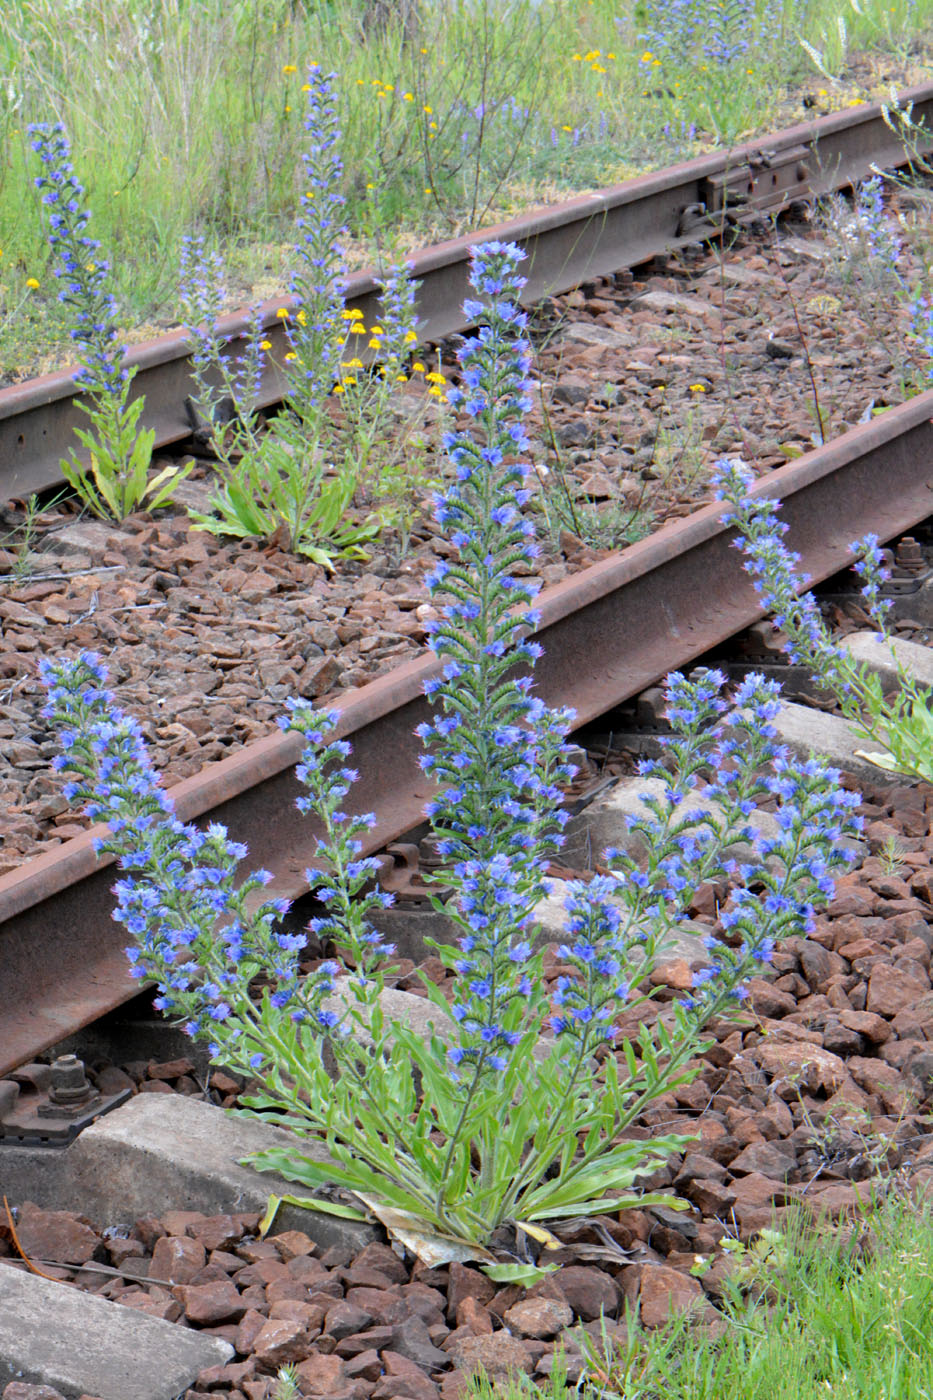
850, 1318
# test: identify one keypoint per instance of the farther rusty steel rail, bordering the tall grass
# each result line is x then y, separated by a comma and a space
588, 237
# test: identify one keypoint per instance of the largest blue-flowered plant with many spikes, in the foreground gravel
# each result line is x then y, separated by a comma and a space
518, 1107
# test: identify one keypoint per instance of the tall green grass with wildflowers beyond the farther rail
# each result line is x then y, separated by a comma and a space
187, 115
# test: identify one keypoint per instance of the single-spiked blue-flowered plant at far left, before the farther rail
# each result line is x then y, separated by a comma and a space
117, 479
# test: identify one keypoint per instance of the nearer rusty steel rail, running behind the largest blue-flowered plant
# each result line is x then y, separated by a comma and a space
609, 633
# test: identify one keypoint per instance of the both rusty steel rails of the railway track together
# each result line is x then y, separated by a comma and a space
609, 633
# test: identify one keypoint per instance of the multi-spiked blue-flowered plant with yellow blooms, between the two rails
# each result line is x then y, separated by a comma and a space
279, 479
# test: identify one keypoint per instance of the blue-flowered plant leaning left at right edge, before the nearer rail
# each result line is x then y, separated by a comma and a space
903, 724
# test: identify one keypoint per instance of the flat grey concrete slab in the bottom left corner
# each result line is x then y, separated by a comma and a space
64, 1338
